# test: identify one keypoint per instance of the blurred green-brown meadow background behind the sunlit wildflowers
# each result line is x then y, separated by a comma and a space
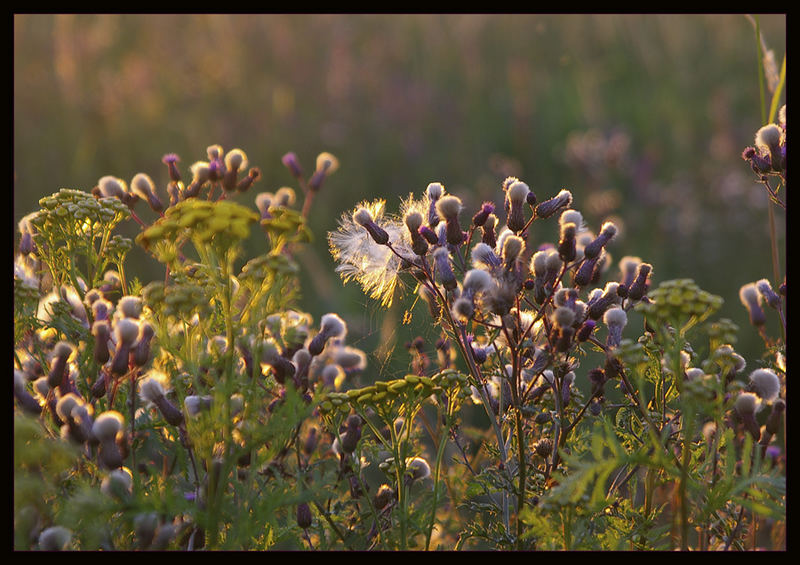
642, 117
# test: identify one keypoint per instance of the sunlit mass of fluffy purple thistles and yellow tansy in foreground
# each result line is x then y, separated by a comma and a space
566, 399
